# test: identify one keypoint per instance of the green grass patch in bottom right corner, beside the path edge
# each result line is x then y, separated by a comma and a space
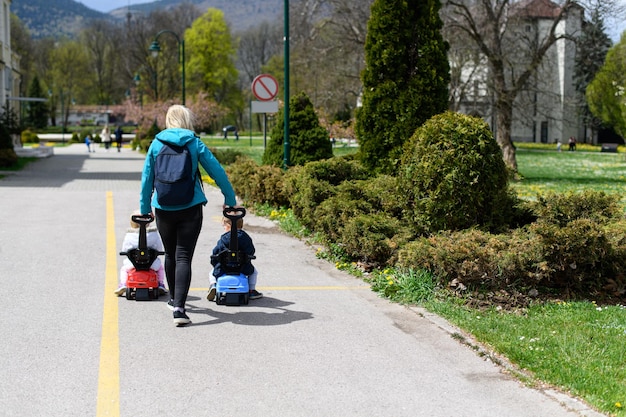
577, 347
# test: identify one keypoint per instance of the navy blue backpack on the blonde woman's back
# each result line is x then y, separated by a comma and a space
174, 179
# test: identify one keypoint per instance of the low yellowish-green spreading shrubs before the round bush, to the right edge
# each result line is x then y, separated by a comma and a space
575, 251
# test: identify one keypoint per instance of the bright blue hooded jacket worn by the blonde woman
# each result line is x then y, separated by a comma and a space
203, 155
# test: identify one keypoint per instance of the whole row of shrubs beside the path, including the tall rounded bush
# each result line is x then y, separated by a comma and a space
571, 244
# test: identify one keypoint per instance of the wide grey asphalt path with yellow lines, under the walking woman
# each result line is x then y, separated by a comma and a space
320, 342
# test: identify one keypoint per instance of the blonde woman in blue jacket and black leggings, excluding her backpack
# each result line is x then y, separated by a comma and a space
180, 225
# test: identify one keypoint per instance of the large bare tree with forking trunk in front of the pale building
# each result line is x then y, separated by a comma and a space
507, 34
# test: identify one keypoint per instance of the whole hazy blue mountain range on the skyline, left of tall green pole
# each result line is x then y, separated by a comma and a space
57, 18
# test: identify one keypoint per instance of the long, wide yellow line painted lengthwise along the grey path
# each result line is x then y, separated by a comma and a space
108, 403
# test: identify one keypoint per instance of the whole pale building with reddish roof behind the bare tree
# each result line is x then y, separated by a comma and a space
546, 110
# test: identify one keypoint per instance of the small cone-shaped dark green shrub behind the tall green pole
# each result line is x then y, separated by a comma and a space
308, 140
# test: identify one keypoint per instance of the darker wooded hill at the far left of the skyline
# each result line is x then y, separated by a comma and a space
54, 17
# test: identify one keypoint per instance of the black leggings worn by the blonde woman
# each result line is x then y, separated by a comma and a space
179, 231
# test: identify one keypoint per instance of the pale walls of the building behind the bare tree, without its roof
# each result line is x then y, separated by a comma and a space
545, 111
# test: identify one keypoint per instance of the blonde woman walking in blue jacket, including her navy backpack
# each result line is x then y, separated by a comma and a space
176, 153
